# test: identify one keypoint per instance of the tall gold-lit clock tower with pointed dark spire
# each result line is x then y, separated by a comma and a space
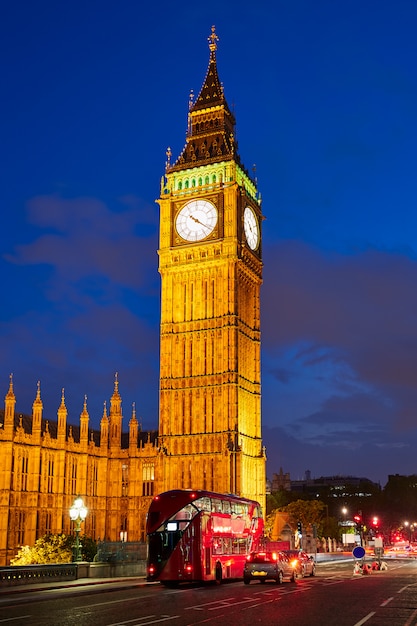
210, 262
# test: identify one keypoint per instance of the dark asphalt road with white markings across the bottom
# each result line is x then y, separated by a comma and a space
335, 597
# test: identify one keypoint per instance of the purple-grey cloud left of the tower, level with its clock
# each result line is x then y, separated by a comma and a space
82, 237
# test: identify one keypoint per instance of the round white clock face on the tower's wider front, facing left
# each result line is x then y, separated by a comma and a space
196, 220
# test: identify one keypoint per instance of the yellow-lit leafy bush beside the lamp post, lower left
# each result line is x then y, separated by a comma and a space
47, 549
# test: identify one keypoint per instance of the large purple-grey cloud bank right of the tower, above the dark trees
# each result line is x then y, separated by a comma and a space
340, 351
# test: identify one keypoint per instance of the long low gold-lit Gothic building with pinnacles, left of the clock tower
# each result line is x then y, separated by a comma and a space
46, 464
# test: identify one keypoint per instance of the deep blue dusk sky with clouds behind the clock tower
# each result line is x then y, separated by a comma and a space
325, 98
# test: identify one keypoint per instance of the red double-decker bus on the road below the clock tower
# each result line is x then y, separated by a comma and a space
200, 535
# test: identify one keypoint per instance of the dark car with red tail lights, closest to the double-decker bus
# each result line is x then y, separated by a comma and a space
266, 565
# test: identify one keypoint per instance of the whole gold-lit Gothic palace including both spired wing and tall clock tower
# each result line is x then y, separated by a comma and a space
209, 431
